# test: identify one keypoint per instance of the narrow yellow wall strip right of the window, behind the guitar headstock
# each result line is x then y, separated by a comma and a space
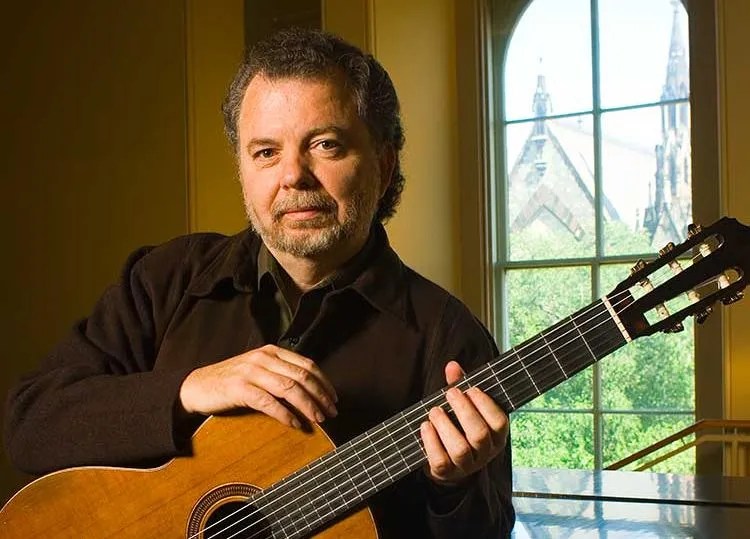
734, 42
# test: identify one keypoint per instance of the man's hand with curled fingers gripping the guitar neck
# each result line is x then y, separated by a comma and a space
456, 452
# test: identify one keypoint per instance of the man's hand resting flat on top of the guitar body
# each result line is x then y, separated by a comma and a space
261, 379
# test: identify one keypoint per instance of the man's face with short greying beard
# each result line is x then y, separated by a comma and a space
311, 175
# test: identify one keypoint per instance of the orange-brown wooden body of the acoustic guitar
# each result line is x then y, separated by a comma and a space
233, 456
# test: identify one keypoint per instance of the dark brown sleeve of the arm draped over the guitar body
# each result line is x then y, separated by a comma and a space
95, 400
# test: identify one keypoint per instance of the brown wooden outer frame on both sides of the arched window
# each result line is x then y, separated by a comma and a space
483, 34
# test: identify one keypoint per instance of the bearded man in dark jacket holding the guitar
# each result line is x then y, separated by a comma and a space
308, 315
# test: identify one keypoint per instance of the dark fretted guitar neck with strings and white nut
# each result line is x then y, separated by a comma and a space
346, 477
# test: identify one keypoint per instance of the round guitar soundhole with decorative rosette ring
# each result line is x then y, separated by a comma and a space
224, 512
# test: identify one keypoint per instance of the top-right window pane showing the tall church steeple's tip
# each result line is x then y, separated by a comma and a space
636, 71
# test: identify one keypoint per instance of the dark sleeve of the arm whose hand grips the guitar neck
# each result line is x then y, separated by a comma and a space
482, 508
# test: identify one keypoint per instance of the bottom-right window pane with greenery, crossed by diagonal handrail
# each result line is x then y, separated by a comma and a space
624, 434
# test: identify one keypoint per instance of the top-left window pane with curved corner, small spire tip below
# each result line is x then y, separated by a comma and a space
552, 41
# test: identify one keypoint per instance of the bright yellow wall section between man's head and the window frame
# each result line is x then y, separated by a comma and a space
421, 61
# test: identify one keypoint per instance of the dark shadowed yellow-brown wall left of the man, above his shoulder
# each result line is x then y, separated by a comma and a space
93, 160
